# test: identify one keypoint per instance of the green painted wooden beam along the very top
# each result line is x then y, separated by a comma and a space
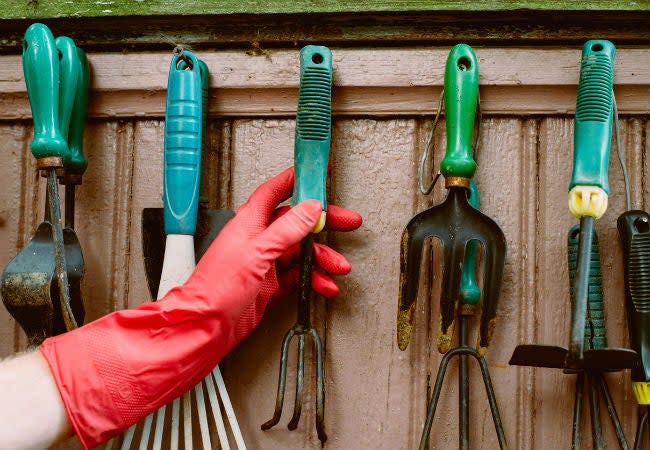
47, 9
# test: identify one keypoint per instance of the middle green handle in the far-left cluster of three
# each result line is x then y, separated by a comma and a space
69, 68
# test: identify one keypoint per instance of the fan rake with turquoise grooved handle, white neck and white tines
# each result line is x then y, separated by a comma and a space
182, 169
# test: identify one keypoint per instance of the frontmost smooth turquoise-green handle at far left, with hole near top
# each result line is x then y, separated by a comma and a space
41, 69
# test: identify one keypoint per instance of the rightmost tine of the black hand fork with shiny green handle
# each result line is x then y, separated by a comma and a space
494, 250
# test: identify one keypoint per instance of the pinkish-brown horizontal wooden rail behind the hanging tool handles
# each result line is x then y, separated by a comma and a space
385, 82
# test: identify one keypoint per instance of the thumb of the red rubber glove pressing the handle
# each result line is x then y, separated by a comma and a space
289, 229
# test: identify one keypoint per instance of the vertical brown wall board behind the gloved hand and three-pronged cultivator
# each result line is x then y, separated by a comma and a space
261, 149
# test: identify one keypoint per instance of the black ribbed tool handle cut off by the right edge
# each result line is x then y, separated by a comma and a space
634, 234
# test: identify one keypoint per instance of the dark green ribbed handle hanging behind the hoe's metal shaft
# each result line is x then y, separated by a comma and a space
595, 328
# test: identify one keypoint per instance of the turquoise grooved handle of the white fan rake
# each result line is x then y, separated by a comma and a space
182, 154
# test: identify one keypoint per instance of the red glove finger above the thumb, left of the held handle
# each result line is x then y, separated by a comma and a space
269, 195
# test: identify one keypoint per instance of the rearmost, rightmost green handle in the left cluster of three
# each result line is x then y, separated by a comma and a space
75, 161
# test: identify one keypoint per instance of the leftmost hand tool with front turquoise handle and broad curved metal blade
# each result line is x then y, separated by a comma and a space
35, 283
